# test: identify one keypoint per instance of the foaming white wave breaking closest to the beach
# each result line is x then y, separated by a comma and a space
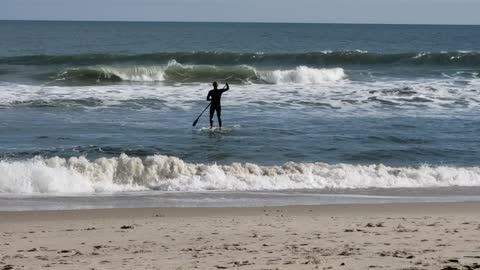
79, 175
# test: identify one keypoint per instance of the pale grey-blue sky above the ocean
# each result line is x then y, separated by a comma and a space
310, 11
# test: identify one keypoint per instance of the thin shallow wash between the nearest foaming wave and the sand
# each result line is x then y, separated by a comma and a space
39, 202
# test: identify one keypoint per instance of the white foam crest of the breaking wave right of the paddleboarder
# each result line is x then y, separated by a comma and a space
302, 75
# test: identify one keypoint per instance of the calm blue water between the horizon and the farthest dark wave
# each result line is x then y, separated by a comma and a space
60, 38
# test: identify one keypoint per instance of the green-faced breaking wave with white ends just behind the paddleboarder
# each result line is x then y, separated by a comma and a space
177, 73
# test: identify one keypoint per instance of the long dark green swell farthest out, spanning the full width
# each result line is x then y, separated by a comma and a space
461, 58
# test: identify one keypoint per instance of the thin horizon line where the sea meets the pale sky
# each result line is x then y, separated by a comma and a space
238, 22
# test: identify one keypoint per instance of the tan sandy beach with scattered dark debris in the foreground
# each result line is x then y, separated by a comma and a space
391, 236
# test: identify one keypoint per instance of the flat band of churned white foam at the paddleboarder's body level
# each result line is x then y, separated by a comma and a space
441, 95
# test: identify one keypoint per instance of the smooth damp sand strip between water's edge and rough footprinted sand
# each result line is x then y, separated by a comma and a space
413, 208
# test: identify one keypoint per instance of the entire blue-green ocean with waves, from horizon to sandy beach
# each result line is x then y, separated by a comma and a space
99, 114
